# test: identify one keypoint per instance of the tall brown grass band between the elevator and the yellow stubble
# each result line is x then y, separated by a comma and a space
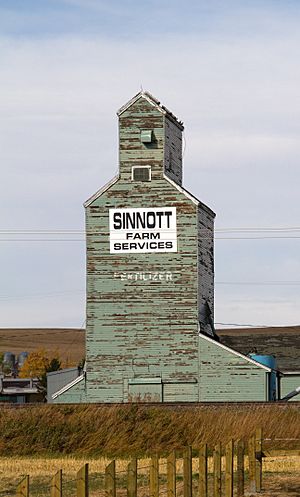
118, 431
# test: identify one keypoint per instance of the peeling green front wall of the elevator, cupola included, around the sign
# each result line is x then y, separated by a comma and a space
139, 327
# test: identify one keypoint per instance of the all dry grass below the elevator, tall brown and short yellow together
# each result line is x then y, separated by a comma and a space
84, 433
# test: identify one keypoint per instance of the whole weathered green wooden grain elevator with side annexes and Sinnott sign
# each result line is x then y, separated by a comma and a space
150, 280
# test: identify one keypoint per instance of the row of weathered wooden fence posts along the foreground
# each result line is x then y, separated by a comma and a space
234, 469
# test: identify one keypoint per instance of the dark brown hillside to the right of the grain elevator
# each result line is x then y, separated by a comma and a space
282, 342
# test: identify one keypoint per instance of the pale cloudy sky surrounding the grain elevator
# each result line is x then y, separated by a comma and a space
229, 69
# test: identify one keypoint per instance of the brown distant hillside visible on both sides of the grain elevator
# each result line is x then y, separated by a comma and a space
283, 342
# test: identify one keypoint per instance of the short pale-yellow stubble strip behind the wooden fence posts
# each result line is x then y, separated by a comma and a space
286, 469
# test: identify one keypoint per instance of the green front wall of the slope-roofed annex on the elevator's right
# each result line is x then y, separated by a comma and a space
225, 376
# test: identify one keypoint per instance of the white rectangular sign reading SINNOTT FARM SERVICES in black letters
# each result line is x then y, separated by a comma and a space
143, 230
